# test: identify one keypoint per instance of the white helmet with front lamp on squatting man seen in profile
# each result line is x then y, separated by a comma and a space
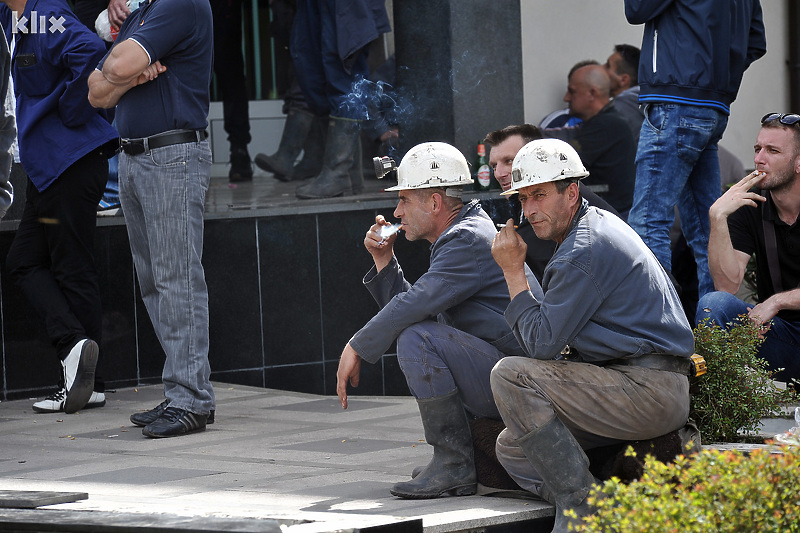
432, 164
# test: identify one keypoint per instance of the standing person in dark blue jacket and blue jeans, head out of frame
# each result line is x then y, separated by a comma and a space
694, 54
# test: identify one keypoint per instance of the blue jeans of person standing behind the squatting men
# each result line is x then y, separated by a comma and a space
677, 164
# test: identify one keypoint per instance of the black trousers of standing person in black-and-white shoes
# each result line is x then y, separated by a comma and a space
52, 255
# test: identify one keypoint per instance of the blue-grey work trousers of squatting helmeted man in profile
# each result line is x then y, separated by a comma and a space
438, 359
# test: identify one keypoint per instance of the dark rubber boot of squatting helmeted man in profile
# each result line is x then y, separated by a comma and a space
452, 469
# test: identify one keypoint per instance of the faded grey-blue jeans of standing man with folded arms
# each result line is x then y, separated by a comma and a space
163, 197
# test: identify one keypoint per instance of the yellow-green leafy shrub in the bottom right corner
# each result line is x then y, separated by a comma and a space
712, 491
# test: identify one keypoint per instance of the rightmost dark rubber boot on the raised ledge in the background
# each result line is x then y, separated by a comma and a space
340, 148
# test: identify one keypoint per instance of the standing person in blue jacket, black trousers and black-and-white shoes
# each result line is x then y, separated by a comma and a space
64, 148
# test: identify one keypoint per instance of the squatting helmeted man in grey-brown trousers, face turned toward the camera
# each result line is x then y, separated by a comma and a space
608, 341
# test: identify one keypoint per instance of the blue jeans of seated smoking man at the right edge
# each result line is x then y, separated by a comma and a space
781, 346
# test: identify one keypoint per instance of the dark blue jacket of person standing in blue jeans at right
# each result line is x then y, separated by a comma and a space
695, 52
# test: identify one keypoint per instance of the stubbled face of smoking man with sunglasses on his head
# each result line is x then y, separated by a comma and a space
777, 153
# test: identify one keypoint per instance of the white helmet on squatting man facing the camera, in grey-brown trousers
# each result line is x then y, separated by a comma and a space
542, 161
